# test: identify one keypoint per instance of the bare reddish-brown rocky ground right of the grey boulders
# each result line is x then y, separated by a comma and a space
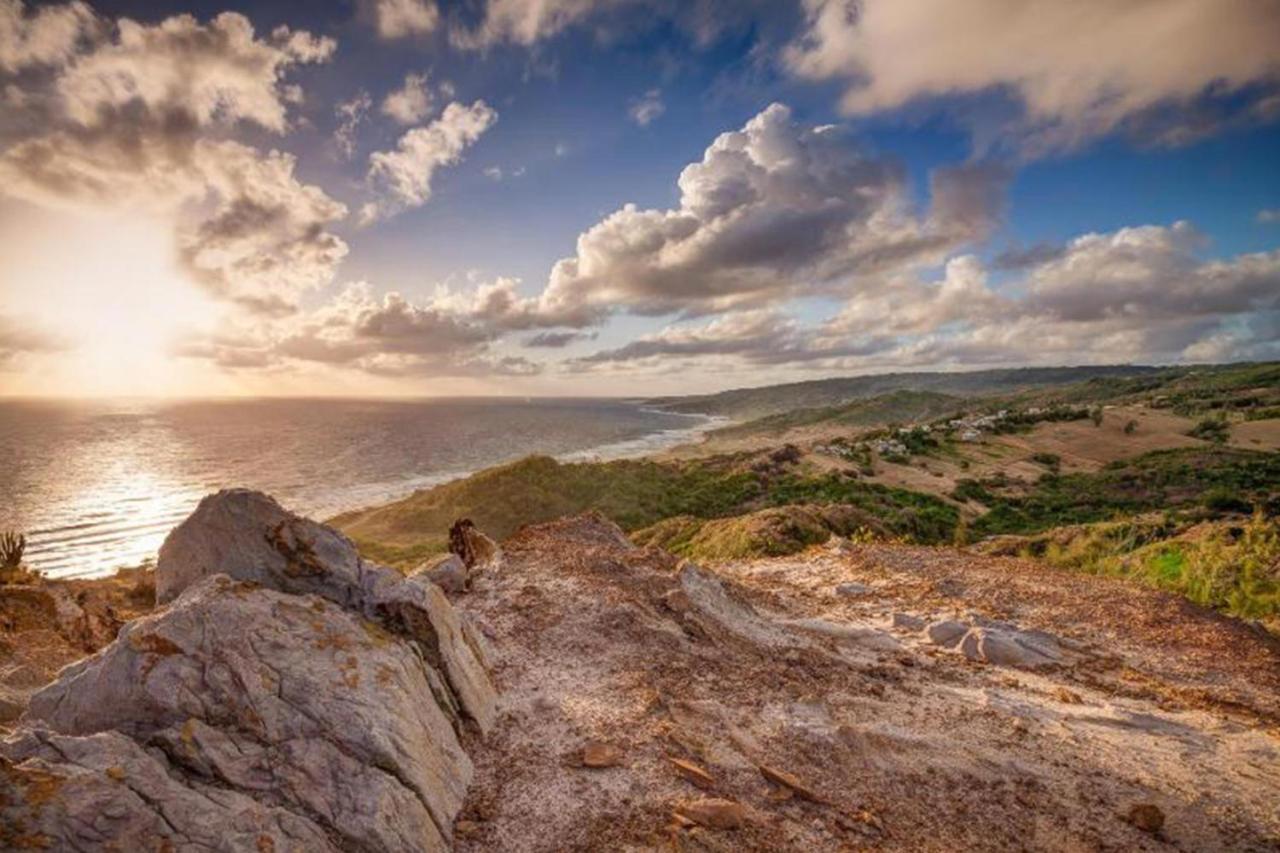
1126, 706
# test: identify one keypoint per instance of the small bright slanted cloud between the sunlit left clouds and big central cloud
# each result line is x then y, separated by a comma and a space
404, 176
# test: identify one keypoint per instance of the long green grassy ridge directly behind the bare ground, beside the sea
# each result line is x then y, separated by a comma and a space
636, 494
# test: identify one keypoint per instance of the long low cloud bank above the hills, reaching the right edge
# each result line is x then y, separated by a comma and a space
1136, 294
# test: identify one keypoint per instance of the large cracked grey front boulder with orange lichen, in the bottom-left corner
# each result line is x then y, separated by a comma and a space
271, 714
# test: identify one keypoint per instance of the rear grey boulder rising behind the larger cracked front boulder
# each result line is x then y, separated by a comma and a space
249, 537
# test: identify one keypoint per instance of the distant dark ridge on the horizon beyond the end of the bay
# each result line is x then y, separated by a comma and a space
771, 400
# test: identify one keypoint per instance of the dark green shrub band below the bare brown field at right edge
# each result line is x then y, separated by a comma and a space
1172, 480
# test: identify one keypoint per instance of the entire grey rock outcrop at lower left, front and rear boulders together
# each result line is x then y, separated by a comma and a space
290, 697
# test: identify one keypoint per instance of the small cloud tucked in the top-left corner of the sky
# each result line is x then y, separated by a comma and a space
45, 37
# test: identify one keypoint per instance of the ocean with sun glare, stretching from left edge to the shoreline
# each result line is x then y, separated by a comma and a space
98, 486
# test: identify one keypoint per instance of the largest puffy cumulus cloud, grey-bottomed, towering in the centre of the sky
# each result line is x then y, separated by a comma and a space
771, 212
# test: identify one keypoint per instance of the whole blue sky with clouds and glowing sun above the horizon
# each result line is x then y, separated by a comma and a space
417, 198
